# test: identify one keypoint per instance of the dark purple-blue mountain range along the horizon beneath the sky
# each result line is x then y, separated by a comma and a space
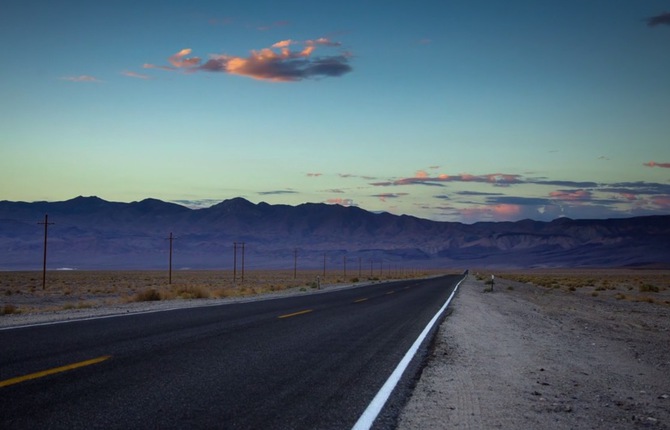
91, 233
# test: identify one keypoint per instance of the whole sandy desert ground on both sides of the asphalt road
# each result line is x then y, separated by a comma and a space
559, 349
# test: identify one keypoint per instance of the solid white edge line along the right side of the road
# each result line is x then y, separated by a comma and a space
374, 408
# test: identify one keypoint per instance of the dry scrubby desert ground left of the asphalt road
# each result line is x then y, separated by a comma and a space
21, 293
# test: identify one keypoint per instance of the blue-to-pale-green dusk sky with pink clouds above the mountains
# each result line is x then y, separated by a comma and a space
464, 110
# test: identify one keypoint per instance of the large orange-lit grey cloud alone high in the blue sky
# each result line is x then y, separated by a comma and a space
277, 63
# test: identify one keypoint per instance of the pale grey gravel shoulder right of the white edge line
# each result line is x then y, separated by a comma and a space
523, 357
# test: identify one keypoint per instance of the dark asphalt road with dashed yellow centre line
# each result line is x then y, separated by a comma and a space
312, 361
